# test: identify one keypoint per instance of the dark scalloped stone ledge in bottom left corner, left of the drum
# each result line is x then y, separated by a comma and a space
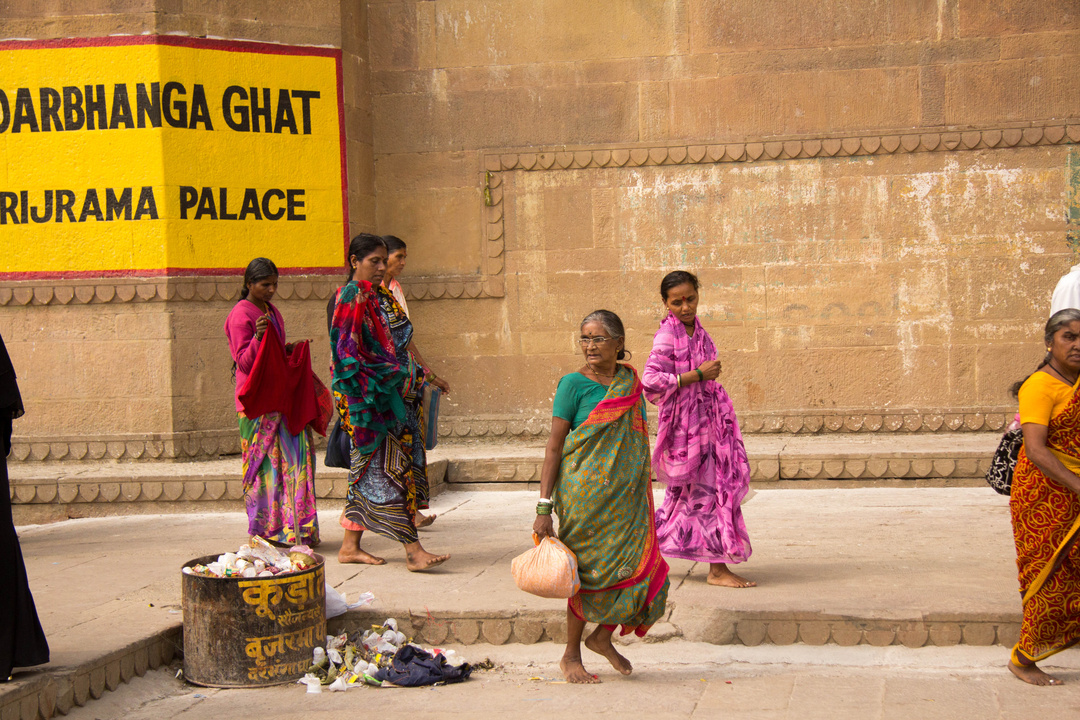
47, 692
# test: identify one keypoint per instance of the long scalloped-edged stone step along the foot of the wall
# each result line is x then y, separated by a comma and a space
45, 493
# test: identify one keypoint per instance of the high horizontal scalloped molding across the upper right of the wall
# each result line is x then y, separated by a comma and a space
788, 148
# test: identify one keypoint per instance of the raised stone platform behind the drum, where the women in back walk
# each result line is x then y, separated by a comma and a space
916, 567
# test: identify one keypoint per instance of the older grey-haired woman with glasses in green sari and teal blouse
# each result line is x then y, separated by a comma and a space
597, 478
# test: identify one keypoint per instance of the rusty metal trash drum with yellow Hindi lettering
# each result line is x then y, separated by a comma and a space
252, 632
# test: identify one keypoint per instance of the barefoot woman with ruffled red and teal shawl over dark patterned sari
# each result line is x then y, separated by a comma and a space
379, 385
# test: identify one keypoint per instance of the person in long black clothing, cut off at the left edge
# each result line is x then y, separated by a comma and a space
22, 641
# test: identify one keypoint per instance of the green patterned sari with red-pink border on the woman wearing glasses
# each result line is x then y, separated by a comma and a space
604, 502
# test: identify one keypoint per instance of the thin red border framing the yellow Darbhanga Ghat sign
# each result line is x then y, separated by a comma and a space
228, 46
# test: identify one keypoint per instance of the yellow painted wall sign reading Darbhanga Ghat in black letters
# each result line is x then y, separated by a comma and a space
148, 156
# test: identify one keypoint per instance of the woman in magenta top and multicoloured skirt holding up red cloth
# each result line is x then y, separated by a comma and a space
279, 467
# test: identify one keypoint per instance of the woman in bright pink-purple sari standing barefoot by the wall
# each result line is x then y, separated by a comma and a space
700, 455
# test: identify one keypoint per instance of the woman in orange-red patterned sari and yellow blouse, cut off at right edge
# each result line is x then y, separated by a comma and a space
1045, 505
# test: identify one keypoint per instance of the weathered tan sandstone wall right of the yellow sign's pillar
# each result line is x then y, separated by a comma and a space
876, 196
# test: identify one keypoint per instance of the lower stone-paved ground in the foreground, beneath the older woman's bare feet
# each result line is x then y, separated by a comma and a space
671, 681
